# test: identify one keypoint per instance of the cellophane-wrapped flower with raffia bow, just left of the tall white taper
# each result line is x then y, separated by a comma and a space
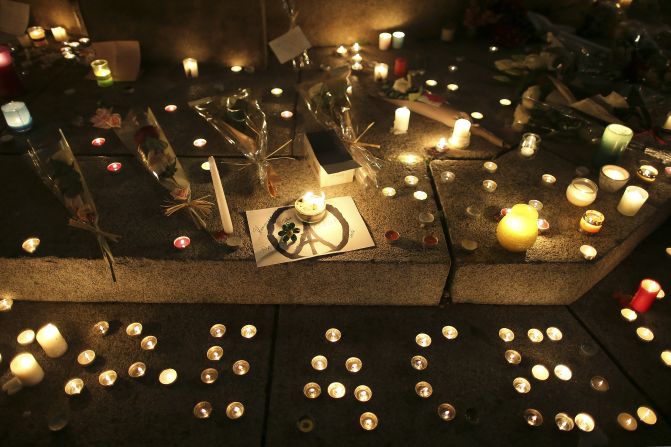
141, 134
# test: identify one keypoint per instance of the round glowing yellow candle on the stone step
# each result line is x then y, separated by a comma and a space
518, 230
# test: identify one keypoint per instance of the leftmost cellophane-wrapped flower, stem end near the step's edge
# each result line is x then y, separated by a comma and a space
57, 167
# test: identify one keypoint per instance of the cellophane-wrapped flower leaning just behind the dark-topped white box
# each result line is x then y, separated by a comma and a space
327, 98
